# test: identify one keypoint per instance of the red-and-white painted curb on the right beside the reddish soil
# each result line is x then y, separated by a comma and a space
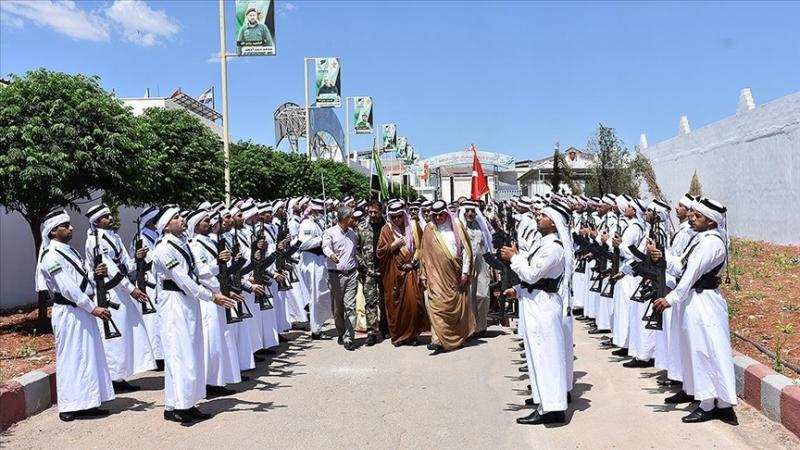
775, 395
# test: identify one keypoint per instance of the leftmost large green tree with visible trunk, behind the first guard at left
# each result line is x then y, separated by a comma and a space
62, 138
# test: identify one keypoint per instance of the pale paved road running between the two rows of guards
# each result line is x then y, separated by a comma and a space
316, 395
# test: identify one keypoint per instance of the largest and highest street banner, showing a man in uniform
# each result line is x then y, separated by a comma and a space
255, 27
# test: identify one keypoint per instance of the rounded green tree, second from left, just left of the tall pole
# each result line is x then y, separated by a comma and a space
182, 160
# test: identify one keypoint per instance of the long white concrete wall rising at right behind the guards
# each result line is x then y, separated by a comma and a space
750, 162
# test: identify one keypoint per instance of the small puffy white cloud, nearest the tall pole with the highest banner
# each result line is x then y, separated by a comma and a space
141, 24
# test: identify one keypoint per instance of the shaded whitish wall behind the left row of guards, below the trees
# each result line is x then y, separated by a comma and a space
17, 253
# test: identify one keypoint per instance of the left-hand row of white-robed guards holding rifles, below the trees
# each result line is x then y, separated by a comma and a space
202, 352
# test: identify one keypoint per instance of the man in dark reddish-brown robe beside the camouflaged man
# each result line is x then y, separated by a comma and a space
398, 252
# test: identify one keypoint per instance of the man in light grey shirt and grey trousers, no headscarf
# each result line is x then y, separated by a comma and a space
339, 246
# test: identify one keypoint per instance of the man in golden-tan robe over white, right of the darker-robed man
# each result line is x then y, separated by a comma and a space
445, 272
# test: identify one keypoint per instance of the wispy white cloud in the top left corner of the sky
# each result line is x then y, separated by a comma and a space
62, 16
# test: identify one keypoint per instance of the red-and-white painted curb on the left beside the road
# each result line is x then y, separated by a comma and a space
27, 395
